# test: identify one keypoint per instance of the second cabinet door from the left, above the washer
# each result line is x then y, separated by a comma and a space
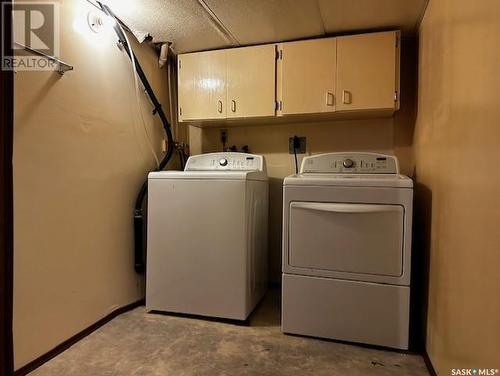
251, 81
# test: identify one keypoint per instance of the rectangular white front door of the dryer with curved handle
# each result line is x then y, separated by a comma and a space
344, 237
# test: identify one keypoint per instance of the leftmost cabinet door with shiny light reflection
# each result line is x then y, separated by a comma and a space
202, 85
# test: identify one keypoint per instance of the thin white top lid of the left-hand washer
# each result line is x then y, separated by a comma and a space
208, 175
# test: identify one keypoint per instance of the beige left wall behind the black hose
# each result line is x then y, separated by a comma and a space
80, 157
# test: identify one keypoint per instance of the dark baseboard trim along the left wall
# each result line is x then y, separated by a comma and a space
31, 366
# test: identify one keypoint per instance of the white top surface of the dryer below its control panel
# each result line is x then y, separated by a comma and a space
379, 180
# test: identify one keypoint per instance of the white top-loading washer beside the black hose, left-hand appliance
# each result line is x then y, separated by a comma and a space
207, 236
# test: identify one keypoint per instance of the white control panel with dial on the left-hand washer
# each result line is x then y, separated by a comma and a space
225, 162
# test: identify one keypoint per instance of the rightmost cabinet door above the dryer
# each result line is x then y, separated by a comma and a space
367, 71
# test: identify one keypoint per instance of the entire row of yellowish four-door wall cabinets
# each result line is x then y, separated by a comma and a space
347, 74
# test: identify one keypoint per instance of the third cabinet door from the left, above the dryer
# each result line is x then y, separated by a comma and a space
307, 76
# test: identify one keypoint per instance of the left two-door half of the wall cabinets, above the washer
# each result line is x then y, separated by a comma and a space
226, 84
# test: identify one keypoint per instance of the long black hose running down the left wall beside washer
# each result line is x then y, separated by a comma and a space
139, 255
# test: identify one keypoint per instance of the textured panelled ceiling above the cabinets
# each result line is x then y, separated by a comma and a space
195, 25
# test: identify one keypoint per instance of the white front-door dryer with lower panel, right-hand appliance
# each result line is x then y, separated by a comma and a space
347, 220
